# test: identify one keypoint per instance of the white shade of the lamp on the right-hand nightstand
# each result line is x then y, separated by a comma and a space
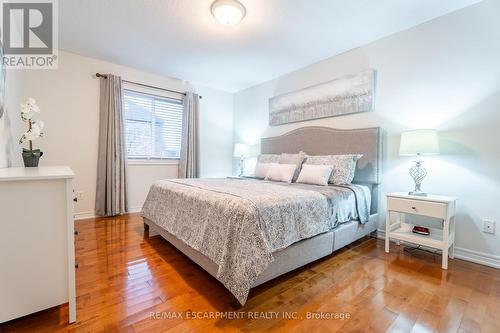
423, 142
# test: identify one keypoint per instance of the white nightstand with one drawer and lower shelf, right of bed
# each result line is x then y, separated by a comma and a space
435, 206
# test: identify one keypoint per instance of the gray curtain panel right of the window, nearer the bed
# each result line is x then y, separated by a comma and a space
188, 166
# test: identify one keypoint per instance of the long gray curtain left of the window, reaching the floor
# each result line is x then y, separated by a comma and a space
111, 196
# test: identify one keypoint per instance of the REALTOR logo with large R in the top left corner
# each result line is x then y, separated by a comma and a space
29, 34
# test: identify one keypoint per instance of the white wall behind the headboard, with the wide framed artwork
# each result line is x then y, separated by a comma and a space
444, 74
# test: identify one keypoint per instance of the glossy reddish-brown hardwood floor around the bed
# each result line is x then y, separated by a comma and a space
123, 278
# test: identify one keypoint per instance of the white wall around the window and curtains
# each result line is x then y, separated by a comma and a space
69, 100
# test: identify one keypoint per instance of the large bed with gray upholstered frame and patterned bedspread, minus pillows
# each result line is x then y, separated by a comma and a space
245, 232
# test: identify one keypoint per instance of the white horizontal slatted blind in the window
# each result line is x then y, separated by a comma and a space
153, 125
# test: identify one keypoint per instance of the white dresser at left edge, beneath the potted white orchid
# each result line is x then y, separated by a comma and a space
37, 250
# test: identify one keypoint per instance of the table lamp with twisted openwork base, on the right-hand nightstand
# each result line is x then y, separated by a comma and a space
419, 142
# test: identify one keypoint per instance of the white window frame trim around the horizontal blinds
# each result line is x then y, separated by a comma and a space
138, 161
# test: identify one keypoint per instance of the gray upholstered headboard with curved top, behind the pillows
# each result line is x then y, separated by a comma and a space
317, 140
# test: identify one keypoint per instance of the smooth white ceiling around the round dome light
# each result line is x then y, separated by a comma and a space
180, 38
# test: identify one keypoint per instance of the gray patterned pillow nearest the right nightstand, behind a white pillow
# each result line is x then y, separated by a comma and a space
344, 166
